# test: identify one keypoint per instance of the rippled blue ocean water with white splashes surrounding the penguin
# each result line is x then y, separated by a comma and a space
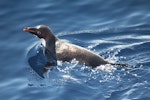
118, 30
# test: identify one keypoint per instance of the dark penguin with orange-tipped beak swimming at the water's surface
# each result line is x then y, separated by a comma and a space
56, 49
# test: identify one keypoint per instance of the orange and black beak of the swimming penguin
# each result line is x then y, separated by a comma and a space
33, 31
